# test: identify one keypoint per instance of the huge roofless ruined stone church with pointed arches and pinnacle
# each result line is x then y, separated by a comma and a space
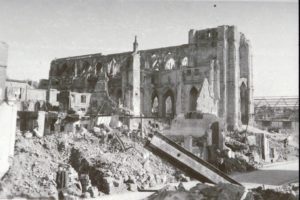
212, 73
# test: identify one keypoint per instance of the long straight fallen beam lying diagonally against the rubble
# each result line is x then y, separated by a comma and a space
184, 160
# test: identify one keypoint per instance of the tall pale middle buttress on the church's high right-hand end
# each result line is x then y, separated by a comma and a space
233, 78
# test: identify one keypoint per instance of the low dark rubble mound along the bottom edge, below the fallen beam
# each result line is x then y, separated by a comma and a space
222, 191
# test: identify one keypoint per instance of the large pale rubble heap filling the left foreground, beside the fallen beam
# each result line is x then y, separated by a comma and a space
34, 166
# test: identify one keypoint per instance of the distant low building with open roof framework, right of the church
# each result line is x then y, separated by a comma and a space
277, 114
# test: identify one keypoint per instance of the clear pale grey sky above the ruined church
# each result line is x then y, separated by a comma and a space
37, 31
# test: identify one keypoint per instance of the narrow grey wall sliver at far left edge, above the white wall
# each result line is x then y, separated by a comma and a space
3, 65
